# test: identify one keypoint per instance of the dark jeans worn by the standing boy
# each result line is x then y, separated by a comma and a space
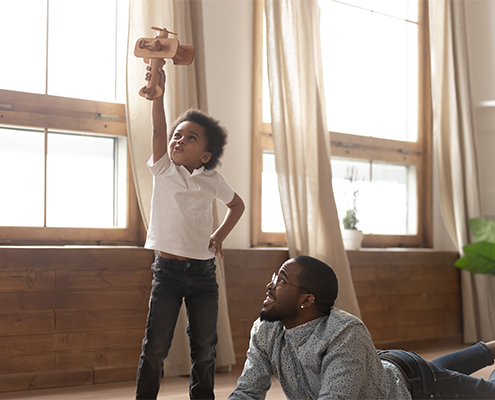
173, 280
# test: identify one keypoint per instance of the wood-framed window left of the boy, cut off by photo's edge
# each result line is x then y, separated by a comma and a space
65, 176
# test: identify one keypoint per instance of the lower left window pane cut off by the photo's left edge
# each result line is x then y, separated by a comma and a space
21, 177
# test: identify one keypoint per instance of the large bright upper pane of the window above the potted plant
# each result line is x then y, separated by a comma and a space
370, 72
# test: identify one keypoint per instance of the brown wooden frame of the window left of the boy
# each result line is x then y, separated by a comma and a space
47, 112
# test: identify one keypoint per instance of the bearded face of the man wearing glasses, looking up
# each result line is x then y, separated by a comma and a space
282, 298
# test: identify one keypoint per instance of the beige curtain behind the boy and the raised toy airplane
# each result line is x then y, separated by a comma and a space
185, 87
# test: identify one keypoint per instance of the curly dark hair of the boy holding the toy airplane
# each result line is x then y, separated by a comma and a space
216, 134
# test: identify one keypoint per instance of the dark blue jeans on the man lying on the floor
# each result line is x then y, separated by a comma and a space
448, 377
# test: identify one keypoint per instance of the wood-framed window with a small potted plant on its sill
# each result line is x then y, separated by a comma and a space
378, 114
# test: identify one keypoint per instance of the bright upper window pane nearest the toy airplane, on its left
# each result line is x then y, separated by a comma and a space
83, 49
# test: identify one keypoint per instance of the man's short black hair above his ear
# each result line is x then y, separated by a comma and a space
321, 281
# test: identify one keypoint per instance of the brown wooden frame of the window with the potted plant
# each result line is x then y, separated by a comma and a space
355, 146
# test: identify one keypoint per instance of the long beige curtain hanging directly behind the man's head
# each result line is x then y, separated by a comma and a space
301, 139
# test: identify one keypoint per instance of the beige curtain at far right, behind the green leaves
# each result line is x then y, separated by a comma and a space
455, 151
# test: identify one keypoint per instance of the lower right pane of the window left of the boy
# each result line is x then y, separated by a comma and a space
81, 181
